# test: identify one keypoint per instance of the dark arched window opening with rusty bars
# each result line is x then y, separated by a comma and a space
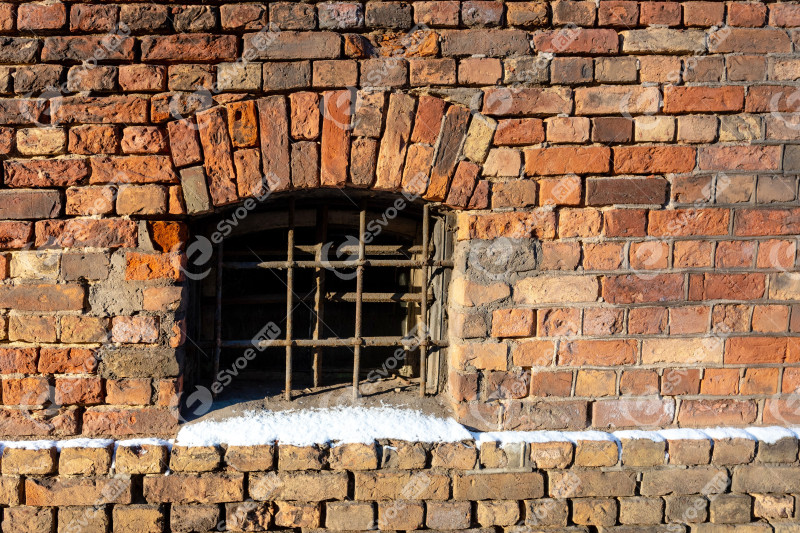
323, 292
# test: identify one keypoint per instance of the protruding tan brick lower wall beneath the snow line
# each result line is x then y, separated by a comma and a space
556, 487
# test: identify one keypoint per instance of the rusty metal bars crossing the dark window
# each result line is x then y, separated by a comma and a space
366, 260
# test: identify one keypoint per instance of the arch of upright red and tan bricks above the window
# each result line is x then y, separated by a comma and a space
416, 144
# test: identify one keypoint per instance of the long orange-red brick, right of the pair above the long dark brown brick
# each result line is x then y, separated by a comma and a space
653, 159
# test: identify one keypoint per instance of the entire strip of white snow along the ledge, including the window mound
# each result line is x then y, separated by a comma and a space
364, 425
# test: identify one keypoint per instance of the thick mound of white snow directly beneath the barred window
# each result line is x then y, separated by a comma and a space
318, 426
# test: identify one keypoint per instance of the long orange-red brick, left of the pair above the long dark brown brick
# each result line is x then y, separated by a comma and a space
566, 159
